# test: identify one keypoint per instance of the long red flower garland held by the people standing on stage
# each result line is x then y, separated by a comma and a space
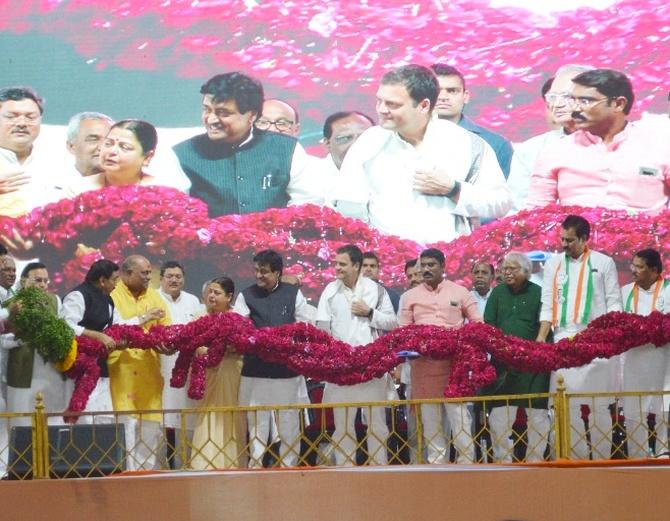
315, 354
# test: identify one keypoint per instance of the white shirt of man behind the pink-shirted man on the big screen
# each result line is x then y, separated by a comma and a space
523, 162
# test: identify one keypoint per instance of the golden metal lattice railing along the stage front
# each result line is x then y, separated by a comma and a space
491, 429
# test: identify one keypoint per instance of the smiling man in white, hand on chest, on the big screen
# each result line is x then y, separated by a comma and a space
416, 176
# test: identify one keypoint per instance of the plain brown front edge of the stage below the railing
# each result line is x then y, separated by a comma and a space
415, 493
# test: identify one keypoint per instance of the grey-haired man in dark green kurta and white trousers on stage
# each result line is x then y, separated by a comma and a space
514, 308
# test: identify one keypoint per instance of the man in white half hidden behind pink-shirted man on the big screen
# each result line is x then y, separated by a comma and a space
526, 153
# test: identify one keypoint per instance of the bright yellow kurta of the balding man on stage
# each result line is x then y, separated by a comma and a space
134, 374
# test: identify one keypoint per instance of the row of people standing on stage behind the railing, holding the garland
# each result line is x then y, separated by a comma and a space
578, 286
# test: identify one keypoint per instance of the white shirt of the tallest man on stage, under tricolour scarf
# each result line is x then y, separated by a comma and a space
606, 292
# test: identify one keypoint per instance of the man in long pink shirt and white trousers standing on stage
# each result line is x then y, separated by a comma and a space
439, 302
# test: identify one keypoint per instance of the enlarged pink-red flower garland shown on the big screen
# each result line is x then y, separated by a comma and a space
158, 221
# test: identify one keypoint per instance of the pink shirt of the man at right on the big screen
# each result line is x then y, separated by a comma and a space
631, 173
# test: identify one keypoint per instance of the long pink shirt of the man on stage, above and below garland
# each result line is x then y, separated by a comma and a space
448, 306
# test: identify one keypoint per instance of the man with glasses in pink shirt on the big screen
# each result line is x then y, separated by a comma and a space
608, 161
